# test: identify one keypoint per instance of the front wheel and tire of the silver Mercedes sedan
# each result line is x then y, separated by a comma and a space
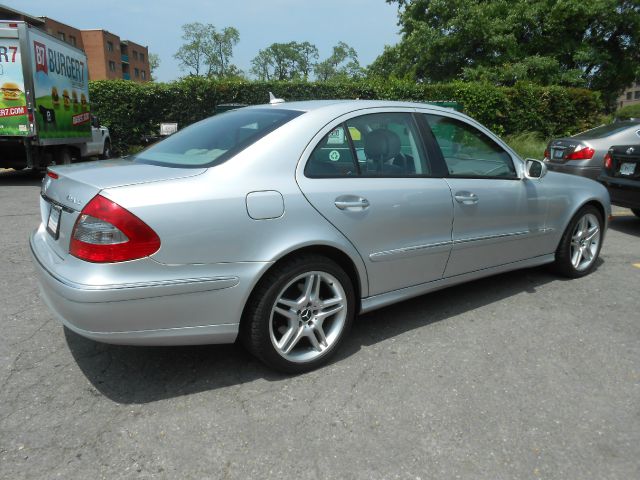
580, 244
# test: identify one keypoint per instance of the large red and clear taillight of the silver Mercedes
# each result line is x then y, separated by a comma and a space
106, 232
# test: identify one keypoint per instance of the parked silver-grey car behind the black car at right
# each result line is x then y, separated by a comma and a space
583, 154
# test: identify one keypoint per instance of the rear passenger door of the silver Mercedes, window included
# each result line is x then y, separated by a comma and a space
371, 177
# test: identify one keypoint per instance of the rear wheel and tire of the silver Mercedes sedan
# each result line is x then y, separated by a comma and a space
285, 323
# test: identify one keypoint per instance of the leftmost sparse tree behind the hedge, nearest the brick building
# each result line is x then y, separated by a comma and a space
207, 51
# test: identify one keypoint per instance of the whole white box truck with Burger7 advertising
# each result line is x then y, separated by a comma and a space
45, 114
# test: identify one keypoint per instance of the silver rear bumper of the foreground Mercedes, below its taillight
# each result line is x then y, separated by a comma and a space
170, 311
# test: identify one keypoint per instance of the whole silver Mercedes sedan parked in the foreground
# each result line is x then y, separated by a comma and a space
277, 224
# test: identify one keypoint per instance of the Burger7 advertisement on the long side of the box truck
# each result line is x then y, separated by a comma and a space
61, 85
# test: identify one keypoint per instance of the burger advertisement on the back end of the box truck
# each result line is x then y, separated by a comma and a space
13, 104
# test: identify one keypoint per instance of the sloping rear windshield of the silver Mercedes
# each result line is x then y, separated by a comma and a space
216, 139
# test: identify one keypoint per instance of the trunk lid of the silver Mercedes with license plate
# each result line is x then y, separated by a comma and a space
67, 189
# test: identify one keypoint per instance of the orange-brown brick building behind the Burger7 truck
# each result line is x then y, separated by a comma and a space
108, 57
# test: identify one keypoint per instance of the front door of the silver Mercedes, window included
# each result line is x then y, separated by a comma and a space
499, 216
